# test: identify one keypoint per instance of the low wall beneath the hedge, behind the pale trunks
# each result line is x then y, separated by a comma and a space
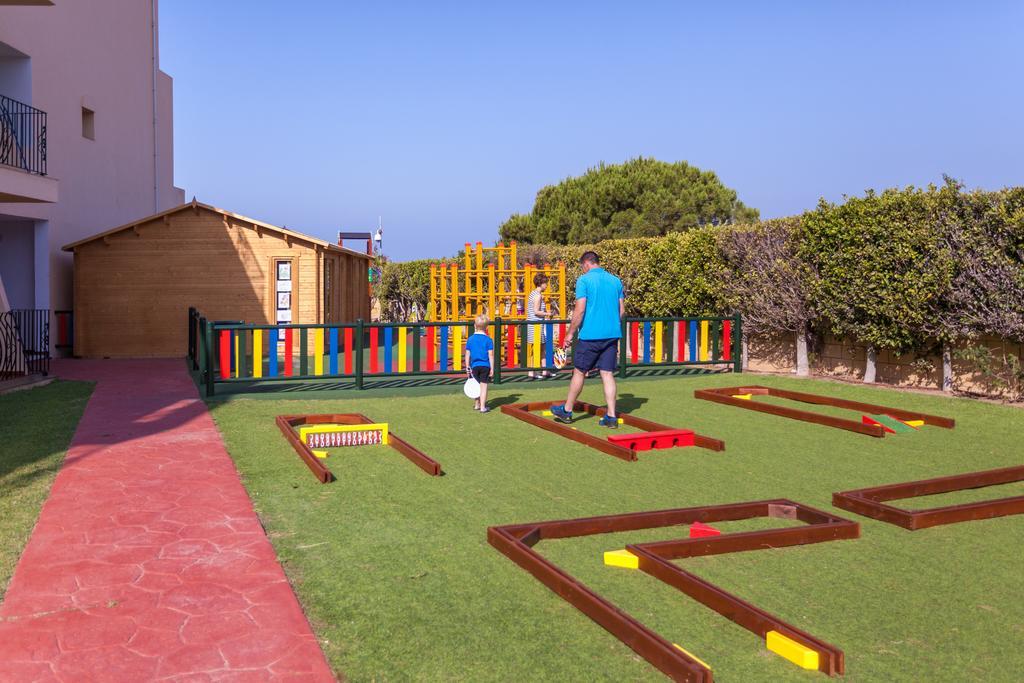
834, 358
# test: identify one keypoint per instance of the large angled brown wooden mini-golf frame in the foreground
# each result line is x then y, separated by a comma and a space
518, 543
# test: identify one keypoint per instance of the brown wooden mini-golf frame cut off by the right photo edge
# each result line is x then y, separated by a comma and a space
871, 502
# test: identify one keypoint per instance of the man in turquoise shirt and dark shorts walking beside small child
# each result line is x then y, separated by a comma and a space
601, 307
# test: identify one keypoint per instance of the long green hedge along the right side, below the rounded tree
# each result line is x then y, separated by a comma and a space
898, 270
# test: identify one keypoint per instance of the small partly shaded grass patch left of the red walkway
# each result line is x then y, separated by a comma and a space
36, 426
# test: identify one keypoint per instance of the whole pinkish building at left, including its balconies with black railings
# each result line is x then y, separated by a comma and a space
87, 136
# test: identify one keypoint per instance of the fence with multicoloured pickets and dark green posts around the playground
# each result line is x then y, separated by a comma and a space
233, 352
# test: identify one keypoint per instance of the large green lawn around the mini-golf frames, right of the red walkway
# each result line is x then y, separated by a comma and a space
396, 574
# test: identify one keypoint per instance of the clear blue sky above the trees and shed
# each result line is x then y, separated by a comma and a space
445, 118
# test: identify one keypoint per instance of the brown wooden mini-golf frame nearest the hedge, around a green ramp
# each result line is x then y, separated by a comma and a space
727, 397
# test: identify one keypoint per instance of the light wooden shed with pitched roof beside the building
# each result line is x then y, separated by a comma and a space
135, 284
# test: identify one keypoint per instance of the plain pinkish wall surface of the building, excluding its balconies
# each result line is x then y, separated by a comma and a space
98, 55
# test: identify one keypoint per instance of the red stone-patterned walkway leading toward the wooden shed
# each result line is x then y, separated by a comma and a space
148, 562
